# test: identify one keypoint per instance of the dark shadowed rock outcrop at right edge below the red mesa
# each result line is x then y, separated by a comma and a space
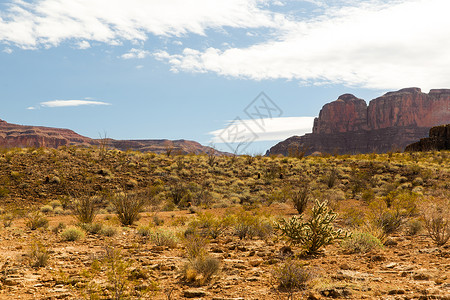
439, 140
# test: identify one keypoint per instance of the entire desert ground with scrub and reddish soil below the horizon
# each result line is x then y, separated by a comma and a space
87, 223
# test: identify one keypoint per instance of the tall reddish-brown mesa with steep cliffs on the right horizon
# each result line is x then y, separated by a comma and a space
392, 121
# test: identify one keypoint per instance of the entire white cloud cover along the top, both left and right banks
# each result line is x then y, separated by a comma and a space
380, 44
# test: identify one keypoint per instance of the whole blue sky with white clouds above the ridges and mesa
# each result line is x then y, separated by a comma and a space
241, 75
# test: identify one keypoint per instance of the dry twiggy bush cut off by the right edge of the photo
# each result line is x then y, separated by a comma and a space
437, 224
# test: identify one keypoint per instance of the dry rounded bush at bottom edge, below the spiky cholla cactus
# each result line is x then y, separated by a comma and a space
291, 276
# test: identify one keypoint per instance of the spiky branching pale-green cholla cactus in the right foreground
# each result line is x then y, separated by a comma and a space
315, 233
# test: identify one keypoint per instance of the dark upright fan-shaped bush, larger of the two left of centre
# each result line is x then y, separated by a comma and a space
128, 207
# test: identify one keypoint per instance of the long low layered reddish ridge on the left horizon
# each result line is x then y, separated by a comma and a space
13, 135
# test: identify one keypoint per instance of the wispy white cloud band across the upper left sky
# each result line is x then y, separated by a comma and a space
50, 22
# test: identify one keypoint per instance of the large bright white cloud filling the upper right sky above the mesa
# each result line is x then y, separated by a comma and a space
373, 44
